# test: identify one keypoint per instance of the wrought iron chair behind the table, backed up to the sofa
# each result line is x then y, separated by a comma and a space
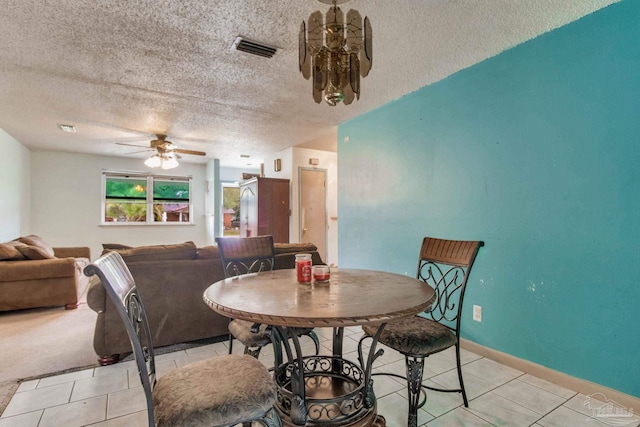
242, 255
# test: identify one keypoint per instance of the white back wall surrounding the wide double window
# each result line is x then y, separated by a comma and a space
66, 201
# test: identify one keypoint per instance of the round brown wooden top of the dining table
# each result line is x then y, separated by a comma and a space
351, 297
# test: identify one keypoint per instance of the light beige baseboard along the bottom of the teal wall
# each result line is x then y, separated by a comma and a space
572, 383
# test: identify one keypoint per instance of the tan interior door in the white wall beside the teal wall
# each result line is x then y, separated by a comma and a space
313, 209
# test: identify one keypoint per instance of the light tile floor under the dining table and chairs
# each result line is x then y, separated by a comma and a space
112, 396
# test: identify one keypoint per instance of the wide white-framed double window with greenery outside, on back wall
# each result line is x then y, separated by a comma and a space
145, 198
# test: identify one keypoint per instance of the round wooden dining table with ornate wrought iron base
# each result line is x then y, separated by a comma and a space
322, 390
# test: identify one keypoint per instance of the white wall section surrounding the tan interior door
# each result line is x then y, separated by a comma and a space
292, 160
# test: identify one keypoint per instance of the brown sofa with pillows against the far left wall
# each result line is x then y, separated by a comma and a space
34, 274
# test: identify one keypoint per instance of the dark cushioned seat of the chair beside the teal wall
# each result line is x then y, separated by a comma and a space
414, 335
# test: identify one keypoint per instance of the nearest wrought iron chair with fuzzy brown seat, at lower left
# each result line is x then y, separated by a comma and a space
220, 391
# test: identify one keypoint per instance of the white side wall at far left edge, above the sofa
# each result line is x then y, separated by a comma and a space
14, 188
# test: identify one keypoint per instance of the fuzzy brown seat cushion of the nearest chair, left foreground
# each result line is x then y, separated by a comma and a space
238, 387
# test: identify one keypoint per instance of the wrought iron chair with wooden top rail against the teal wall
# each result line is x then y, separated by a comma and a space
444, 265
